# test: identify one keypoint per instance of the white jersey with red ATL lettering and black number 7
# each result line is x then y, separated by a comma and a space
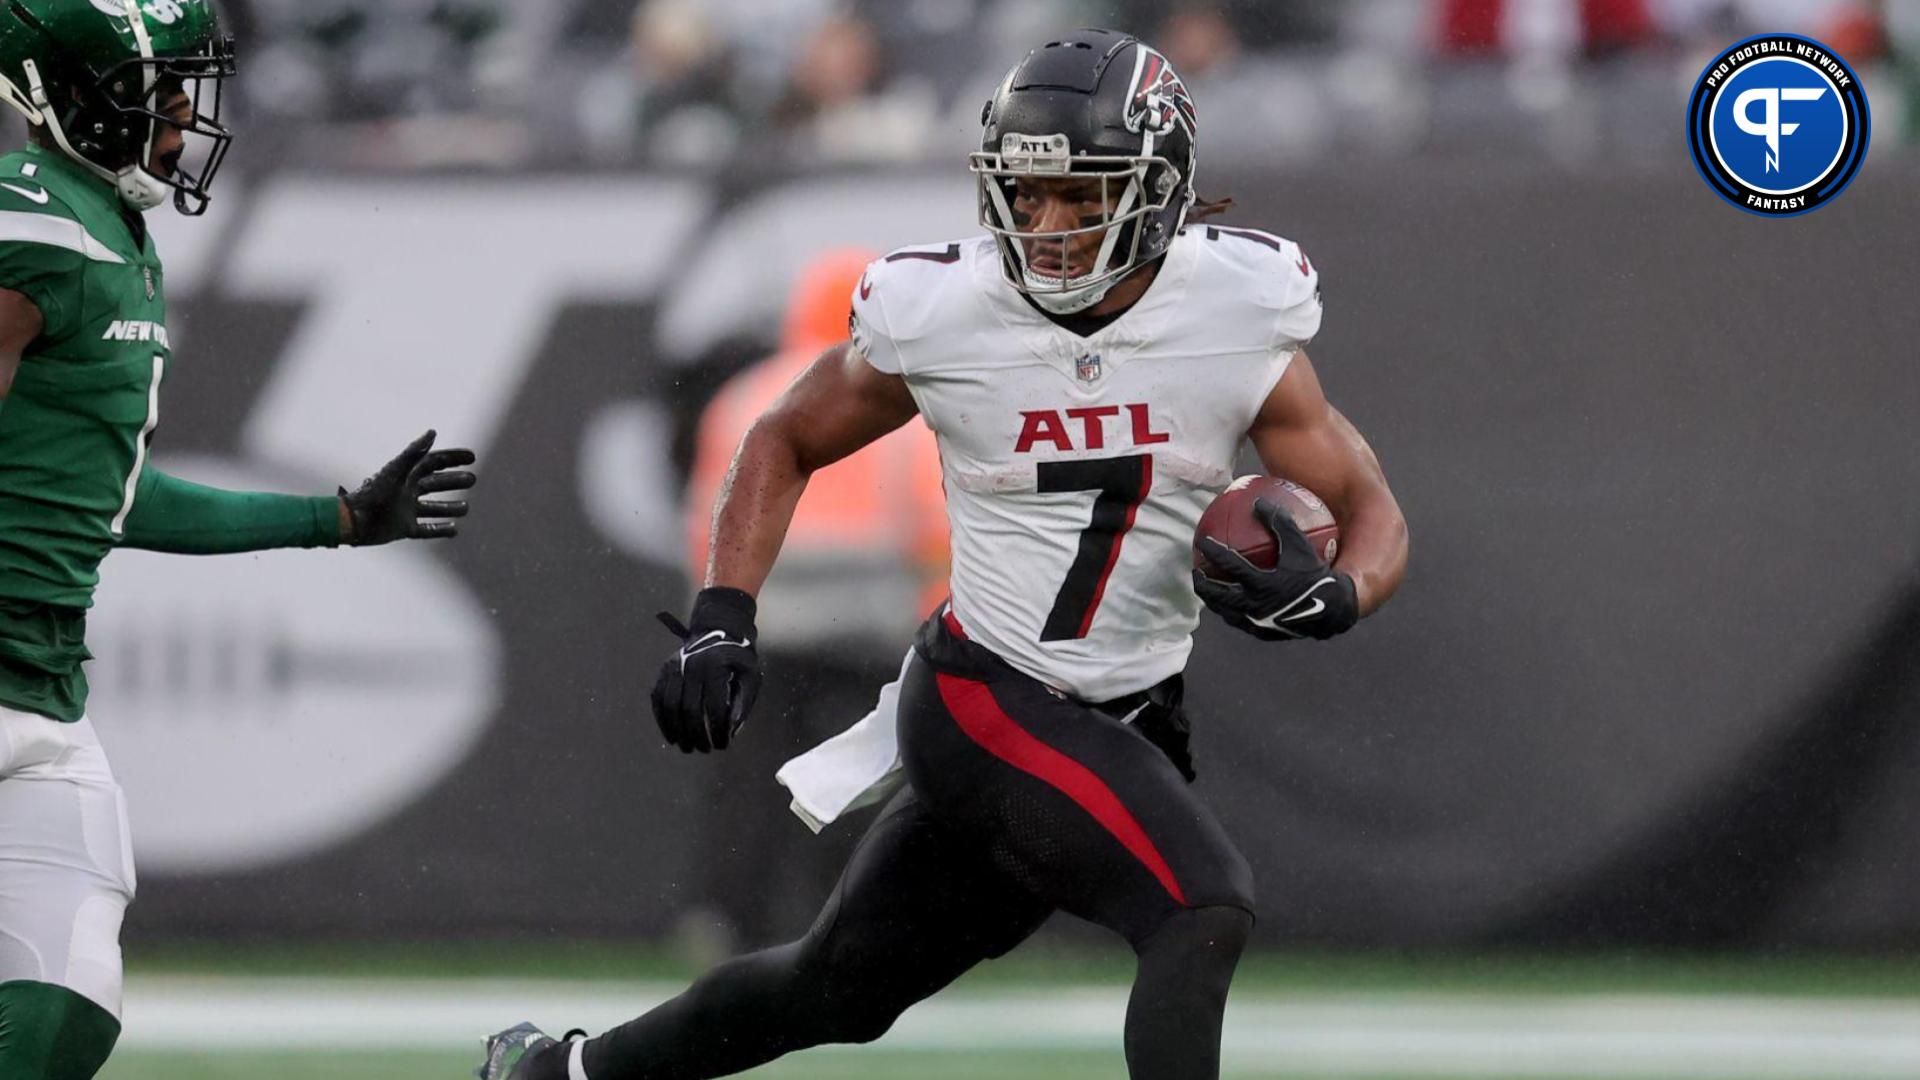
1078, 468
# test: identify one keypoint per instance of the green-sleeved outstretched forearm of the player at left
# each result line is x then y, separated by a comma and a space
191, 520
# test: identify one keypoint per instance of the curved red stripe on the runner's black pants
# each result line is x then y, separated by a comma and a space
986, 722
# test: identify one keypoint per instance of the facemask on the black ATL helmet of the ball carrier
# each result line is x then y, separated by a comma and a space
1132, 187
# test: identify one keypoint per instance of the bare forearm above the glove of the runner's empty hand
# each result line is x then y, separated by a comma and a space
756, 508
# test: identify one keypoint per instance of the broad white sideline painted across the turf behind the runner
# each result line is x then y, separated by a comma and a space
1412, 1035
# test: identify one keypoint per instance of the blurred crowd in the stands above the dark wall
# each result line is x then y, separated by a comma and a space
807, 84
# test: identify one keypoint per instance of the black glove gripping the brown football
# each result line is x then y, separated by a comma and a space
1299, 599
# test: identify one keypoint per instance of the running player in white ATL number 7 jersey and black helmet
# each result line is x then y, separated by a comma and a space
1090, 370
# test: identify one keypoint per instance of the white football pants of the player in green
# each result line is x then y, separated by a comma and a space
66, 858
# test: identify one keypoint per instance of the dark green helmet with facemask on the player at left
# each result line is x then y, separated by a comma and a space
110, 80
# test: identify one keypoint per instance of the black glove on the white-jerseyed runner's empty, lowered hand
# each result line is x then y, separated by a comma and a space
708, 687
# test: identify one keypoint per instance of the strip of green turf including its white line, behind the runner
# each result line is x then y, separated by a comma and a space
391, 1014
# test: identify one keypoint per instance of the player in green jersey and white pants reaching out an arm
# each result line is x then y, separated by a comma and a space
124, 109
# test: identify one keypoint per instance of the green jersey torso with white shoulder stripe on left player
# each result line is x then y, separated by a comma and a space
74, 430
